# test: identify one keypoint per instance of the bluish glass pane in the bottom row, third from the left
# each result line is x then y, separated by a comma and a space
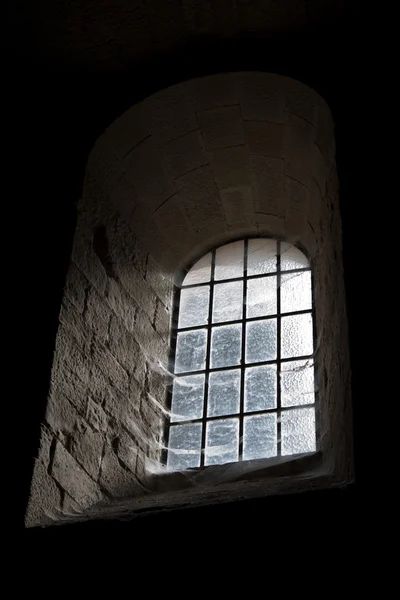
259, 436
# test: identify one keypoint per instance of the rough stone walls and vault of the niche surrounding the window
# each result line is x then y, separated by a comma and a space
195, 165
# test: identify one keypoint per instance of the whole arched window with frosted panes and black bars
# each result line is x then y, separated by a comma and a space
243, 361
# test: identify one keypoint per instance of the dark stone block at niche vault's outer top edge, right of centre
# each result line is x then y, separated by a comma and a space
260, 98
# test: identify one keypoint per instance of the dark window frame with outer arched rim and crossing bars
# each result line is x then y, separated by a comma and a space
278, 409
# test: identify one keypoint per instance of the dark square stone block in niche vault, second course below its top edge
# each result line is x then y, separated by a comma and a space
221, 127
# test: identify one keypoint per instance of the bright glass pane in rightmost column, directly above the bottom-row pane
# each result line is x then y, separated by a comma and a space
297, 382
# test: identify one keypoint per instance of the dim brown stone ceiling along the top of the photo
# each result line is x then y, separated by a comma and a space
115, 33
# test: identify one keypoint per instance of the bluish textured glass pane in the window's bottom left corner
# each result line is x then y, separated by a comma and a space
184, 446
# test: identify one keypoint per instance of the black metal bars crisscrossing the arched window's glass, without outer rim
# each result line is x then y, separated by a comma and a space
278, 409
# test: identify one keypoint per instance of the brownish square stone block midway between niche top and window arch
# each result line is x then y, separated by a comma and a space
230, 167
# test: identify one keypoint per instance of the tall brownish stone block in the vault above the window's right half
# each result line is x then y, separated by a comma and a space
268, 185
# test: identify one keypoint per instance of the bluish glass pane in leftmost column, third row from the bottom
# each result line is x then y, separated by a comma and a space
191, 351
